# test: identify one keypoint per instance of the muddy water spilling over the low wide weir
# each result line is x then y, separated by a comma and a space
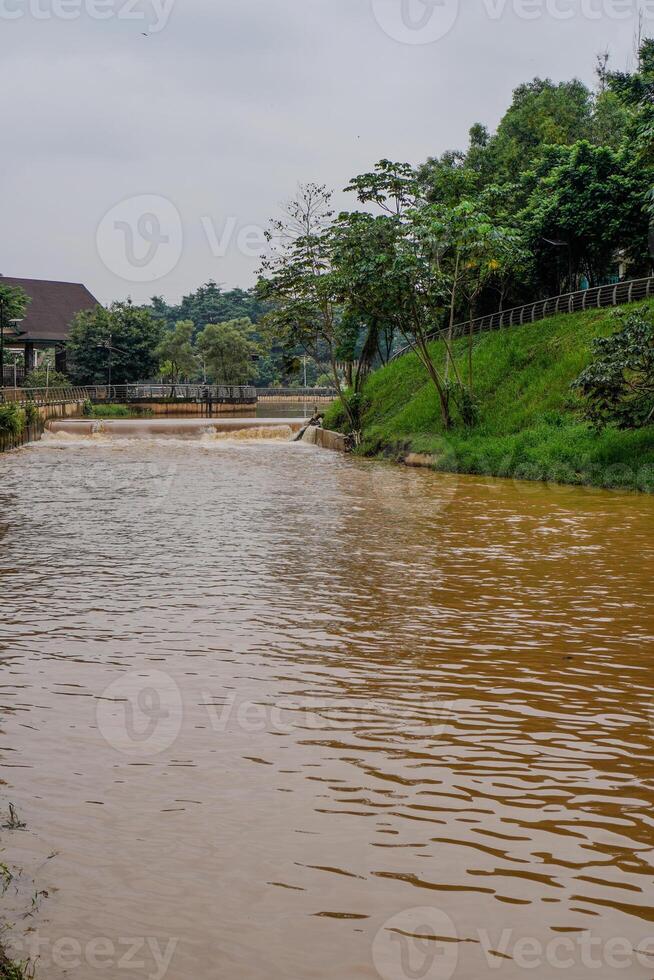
228, 428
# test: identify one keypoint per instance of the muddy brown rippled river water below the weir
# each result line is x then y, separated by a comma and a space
270, 712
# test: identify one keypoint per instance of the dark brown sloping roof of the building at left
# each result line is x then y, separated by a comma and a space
51, 308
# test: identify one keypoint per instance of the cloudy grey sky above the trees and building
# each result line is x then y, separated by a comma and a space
144, 164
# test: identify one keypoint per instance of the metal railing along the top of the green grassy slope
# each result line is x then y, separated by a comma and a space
614, 294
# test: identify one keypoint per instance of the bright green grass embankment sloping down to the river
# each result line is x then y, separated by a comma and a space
530, 425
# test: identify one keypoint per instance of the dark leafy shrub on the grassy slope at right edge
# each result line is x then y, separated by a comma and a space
619, 383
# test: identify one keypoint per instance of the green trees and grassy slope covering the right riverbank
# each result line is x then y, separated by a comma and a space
558, 199
